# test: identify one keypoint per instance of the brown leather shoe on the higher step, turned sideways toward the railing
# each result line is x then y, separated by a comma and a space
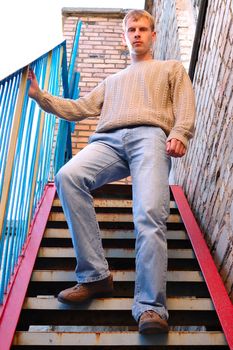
82, 292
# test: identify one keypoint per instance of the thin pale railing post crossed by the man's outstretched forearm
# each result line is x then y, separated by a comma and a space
42, 120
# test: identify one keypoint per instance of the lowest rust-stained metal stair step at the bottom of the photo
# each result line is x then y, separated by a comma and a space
112, 339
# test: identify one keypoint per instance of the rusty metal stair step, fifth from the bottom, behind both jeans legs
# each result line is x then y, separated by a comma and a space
113, 234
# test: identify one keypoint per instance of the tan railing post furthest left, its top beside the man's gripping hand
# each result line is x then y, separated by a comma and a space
12, 148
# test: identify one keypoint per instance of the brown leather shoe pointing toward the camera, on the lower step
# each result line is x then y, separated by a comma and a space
151, 323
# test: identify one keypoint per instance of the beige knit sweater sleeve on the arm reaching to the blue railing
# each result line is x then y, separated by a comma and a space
73, 110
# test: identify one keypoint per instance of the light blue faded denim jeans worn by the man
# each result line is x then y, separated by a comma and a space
139, 152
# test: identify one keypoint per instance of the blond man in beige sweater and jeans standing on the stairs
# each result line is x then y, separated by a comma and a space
146, 115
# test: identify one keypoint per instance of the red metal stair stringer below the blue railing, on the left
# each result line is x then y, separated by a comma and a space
10, 310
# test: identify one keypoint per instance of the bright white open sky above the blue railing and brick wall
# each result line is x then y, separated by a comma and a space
29, 28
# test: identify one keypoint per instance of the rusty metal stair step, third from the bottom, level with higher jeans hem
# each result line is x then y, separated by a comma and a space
118, 276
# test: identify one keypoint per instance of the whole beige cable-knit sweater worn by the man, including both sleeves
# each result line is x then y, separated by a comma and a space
157, 93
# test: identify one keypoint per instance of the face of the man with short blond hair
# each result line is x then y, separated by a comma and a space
139, 38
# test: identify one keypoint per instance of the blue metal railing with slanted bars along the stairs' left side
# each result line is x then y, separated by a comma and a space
31, 152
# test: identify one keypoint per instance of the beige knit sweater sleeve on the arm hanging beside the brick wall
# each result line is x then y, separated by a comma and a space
183, 101
